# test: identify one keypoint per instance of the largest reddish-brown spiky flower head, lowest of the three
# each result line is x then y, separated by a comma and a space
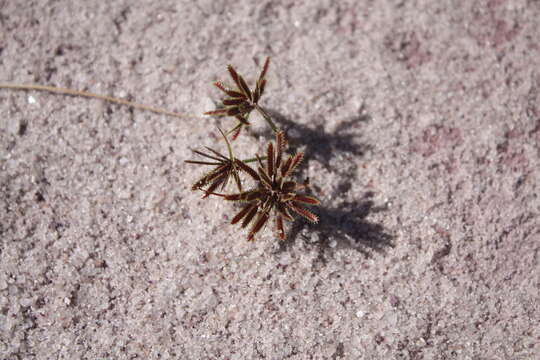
275, 192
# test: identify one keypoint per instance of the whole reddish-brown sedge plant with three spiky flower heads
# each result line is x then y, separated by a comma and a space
275, 192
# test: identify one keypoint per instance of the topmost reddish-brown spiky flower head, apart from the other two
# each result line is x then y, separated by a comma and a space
240, 102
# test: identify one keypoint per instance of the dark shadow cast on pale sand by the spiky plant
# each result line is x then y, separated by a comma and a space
343, 225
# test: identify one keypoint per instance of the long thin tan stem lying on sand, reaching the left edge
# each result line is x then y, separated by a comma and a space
95, 96
